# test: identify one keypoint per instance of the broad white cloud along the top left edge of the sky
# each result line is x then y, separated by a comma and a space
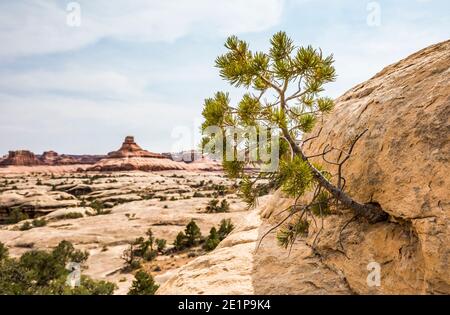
33, 27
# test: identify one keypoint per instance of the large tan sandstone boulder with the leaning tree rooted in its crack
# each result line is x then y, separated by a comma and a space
401, 163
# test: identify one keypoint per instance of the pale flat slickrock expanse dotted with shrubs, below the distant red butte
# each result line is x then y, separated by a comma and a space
103, 212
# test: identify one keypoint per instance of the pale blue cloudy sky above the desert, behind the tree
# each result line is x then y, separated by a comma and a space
77, 77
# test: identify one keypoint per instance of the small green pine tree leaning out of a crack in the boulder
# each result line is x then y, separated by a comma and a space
283, 92
